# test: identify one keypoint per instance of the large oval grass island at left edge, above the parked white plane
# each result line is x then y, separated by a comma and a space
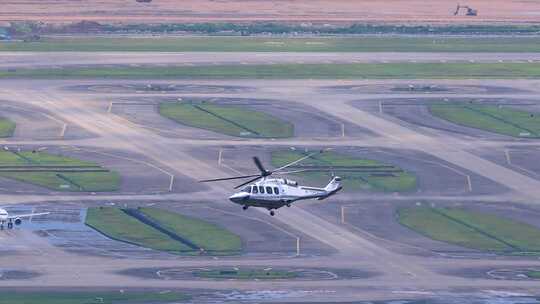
53, 178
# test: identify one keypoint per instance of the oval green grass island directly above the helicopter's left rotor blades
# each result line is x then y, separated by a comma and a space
230, 120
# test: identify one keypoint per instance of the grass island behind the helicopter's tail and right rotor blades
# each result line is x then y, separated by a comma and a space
361, 179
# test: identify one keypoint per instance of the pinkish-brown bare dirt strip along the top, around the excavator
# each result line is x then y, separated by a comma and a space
320, 11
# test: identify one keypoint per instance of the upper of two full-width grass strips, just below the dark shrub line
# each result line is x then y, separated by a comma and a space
266, 44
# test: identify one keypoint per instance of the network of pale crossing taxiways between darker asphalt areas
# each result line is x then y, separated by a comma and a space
399, 275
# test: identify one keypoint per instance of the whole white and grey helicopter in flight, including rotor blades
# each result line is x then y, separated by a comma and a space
274, 193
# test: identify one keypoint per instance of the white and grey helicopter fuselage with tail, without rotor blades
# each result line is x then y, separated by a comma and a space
274, 193
